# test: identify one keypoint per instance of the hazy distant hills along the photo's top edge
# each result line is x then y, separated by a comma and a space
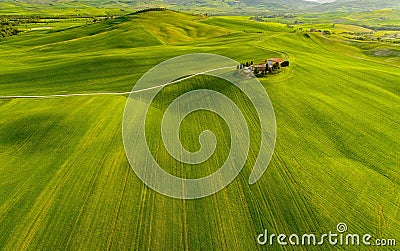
218, 6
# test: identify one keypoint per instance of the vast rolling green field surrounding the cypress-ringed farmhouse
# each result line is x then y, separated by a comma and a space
65, 179
